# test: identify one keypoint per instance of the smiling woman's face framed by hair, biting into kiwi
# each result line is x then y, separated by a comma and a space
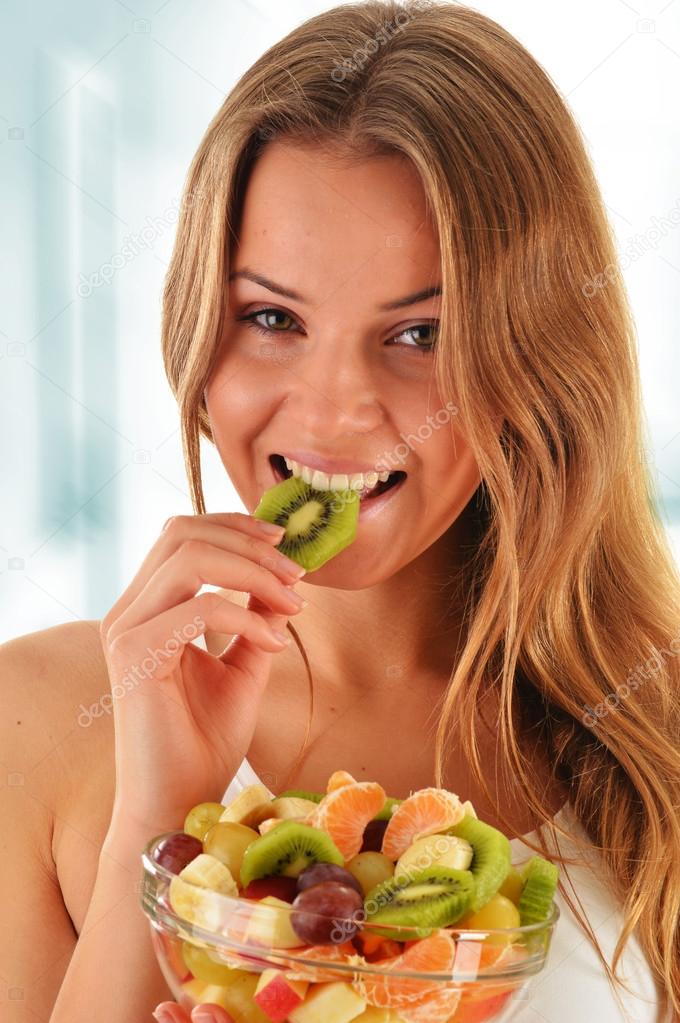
337, 379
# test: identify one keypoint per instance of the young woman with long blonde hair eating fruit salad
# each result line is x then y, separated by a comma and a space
393, 256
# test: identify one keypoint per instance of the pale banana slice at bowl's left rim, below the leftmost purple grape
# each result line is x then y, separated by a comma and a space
192, 892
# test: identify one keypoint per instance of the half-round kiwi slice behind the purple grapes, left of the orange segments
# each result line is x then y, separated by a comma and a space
288, 851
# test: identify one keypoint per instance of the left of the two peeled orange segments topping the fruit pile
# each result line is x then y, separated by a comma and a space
345, 814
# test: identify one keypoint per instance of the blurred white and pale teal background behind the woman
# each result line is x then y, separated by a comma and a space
102, 110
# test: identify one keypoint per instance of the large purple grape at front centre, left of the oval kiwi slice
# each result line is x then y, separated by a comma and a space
328, 914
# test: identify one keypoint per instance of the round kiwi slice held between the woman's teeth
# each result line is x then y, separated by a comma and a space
319, 523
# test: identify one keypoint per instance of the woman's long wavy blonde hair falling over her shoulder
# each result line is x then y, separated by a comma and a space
572, 595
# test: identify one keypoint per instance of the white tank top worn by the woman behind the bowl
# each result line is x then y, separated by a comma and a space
573, 986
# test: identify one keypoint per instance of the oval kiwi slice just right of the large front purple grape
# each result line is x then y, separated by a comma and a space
432, 899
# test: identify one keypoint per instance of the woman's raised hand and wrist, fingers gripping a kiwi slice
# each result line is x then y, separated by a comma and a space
185, 719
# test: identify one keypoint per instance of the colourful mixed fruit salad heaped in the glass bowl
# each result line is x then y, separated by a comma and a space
351, 906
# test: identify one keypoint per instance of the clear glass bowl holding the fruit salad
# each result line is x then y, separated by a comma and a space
229, 951
